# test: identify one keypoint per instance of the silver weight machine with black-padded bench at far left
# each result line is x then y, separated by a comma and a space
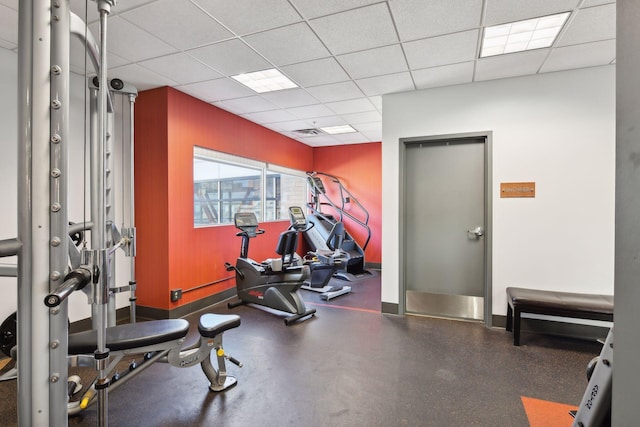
42, 246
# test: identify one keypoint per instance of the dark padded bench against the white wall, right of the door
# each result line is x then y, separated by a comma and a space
552, 303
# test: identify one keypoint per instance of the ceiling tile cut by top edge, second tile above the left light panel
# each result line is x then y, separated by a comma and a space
249, 16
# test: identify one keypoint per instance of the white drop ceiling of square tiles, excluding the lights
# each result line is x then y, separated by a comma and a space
344, 54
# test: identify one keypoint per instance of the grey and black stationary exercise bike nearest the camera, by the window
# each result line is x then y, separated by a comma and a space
275, 282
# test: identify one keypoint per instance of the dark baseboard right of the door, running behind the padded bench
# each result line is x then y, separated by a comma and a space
552, 327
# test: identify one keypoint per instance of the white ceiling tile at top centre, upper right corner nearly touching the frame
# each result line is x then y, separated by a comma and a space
357, 29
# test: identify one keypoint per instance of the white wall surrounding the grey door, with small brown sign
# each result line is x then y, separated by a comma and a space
556, 129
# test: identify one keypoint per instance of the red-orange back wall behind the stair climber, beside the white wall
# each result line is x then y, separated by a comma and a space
359, 168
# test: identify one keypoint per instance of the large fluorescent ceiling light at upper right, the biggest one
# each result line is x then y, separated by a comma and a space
536, 33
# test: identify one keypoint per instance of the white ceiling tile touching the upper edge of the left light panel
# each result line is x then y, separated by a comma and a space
230, 57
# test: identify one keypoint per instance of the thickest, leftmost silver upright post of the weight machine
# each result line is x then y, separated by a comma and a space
33, 211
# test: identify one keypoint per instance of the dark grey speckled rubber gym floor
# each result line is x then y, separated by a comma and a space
352, 366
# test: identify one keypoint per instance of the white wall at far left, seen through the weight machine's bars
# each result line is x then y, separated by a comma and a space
78, 308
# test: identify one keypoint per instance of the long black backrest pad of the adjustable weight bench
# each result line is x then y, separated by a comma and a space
129, 336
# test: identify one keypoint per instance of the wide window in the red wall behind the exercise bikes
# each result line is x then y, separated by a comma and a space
224, 184
